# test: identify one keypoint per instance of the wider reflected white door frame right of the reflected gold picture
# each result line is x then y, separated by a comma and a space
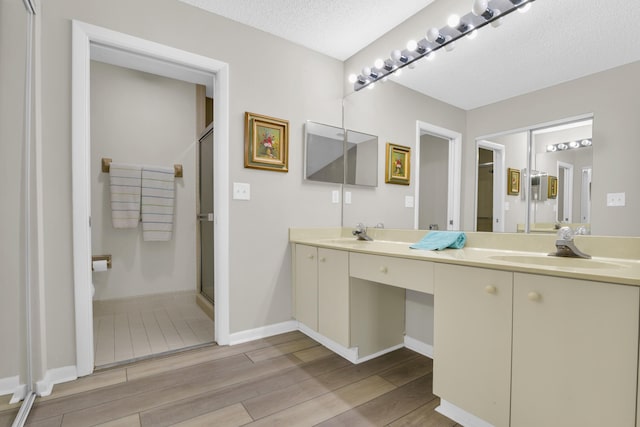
455, 172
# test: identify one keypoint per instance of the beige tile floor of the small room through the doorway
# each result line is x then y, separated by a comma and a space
131, 328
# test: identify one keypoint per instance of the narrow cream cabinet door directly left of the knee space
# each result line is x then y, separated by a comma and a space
333, 295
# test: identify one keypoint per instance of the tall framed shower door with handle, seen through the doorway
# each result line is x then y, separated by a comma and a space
205, 216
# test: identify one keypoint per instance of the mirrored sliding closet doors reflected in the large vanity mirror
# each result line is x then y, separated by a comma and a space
553, 167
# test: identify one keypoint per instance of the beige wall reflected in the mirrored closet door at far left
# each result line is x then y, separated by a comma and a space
13, 27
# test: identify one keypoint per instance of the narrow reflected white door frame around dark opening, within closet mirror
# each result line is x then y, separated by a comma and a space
499, 184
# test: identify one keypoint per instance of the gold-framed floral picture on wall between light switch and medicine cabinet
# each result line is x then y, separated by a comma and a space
266, 143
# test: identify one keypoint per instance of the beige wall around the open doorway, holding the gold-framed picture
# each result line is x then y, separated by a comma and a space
268, 76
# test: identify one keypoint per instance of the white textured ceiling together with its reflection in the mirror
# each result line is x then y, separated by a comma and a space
556, 41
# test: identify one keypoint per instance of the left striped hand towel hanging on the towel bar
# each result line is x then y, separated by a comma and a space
124, 183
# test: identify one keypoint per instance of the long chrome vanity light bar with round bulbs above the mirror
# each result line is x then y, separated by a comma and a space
483, 12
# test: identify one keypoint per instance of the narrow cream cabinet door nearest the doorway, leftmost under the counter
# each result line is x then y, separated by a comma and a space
306, 285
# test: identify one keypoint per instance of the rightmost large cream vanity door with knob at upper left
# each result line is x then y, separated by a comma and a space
575, 352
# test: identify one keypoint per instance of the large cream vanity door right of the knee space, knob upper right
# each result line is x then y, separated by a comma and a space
472, 340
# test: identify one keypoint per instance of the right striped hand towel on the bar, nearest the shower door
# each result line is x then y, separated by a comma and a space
158, 196
